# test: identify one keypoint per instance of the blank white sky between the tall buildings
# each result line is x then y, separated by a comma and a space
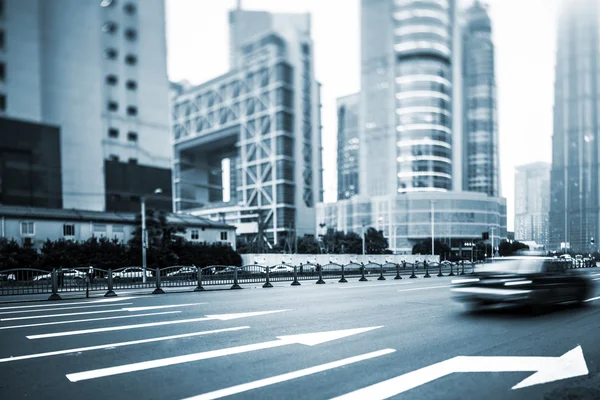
524, 33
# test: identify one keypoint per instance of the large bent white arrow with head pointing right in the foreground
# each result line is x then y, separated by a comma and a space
548, 369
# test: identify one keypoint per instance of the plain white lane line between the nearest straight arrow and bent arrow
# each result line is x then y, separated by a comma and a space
289, 376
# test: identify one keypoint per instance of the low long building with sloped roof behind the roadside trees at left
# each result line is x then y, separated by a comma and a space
36, 225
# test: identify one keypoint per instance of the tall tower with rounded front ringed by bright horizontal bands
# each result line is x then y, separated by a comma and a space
406, 96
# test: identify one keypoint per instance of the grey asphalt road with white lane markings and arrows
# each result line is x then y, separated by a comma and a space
245, 344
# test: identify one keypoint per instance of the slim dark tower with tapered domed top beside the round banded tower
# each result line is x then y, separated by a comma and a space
480, 126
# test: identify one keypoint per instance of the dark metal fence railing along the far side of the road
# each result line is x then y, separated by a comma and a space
60, 281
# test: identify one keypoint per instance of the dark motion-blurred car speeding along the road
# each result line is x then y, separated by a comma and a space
531, 281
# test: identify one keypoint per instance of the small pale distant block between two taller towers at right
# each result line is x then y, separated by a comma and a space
532, 202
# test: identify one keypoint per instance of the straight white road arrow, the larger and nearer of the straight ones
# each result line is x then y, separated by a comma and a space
309, 339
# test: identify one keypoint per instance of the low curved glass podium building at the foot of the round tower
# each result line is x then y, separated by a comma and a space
458, 218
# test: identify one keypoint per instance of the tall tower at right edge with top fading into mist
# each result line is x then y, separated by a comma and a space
575, 201
